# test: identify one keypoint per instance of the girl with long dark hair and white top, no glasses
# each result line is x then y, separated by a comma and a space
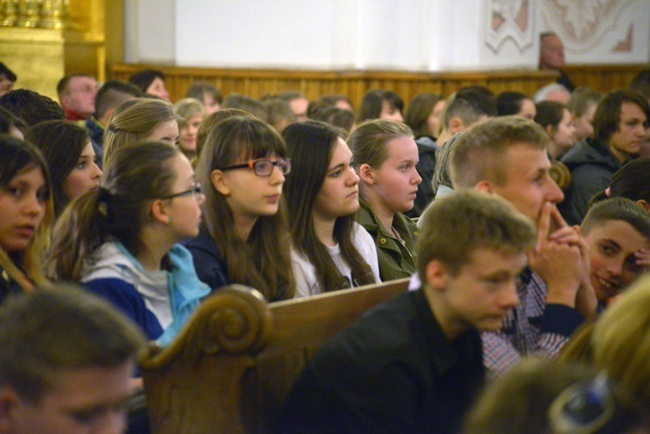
330, 250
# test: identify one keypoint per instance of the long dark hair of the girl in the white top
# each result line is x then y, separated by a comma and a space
311, 146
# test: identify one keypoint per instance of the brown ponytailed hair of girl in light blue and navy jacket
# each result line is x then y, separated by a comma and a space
138, 174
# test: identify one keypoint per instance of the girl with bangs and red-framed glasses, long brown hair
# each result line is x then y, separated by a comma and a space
244, 237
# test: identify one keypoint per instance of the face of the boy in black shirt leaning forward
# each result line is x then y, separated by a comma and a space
483, 291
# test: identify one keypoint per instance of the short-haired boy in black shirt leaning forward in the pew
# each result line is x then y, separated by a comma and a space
415, 363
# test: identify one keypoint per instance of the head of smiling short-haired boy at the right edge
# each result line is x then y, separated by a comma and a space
617, 232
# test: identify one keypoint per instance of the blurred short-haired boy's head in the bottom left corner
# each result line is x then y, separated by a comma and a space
66, 363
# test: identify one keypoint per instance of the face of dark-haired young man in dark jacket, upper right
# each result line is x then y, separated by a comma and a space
631, 131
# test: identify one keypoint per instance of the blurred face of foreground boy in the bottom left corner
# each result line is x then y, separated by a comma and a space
87, 400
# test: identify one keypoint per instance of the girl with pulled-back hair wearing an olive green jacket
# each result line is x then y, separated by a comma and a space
385, 156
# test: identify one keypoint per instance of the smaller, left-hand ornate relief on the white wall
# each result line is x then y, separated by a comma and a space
508, 19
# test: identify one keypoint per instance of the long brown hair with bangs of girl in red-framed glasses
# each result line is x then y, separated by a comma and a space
263, 260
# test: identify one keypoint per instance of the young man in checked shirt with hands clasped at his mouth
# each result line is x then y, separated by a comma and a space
508, 157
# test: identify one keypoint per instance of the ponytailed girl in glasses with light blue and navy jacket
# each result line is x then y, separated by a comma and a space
121, 241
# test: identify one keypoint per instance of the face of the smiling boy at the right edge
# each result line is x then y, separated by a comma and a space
612, 246
